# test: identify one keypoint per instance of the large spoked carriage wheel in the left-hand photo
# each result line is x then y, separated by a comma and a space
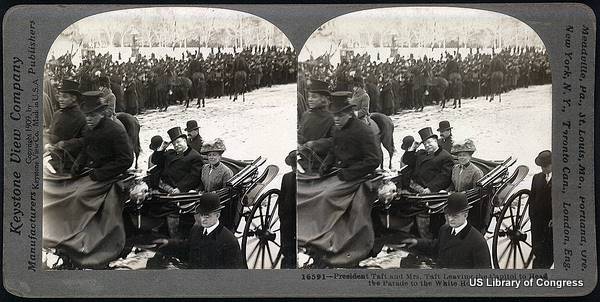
262, 237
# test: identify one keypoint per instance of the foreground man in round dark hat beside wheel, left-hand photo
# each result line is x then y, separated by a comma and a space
210, 244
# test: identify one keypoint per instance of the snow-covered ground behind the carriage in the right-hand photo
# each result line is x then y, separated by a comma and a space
520, 126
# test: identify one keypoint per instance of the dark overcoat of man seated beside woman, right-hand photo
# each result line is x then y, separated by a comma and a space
433, 171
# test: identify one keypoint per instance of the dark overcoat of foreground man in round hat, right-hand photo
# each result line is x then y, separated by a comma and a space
468, 249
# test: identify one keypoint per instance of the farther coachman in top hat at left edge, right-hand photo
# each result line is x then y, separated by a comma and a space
316, 125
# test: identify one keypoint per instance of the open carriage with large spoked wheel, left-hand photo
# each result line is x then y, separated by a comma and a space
243, 198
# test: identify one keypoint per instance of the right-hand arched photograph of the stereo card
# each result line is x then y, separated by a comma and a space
424, 141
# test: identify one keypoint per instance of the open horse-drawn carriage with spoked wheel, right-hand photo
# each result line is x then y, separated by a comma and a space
508, 216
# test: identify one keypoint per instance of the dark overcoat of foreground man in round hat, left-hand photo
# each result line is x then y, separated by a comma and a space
217, 250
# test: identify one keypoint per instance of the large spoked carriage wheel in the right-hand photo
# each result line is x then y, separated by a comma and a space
511, 246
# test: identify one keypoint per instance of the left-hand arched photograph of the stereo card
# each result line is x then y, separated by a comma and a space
168, 139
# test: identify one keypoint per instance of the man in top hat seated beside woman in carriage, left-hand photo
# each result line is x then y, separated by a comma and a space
181, 170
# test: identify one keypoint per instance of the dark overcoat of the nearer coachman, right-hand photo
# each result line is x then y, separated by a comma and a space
354, 151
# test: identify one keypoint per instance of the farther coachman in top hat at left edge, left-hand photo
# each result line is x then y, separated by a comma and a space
67, 128
